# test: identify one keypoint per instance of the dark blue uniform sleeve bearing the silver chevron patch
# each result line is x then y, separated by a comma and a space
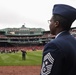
52, 60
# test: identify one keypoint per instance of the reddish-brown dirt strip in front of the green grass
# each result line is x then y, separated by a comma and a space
20, 70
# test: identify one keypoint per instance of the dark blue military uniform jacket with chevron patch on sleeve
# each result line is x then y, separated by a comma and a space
59, 56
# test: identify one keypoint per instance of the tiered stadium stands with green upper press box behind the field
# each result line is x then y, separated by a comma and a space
27, 38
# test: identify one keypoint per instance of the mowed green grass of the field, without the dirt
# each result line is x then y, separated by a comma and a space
14, 59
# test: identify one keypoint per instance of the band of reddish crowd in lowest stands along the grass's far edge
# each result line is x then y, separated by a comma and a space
16, 49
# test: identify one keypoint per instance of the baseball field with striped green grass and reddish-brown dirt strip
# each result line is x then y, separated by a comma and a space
12, 63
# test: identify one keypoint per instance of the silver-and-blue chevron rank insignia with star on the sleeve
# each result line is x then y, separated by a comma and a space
47, 64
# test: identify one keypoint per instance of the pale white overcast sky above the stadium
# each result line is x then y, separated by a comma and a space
31, 13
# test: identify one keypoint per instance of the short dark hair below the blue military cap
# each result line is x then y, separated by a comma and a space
65, 24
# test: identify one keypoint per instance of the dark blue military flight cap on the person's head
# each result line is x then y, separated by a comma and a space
66, 11
